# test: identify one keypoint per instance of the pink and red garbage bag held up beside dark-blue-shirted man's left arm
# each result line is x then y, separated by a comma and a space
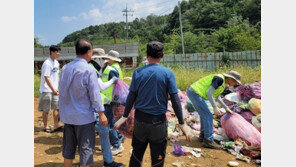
120, 92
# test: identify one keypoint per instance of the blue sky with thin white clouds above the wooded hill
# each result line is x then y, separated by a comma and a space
55, 19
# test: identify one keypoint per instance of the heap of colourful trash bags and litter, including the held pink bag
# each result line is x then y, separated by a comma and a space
238, 133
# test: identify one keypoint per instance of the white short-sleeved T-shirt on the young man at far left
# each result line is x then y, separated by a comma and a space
51, 69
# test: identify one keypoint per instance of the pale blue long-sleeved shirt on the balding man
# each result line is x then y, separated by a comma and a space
79, 94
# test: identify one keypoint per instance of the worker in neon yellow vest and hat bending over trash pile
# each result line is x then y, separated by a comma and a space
208, 88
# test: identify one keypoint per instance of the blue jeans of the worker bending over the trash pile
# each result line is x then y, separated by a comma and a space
206, 117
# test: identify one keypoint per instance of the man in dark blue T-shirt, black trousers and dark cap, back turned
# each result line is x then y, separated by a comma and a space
149, 90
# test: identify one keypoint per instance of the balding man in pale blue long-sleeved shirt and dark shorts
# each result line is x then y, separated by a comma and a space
79, 100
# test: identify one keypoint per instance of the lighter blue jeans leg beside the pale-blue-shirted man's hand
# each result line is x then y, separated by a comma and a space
104, 137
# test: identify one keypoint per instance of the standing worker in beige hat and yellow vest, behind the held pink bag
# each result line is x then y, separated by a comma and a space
111, 70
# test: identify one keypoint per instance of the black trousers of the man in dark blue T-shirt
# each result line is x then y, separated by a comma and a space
156, 136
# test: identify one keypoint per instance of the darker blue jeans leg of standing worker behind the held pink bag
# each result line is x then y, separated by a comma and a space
113, 134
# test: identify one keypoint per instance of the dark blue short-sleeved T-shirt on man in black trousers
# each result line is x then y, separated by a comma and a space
152, 84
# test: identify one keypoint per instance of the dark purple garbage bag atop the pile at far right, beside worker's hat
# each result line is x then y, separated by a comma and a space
248, 91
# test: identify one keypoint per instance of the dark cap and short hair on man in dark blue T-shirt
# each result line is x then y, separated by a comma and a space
155, 49
